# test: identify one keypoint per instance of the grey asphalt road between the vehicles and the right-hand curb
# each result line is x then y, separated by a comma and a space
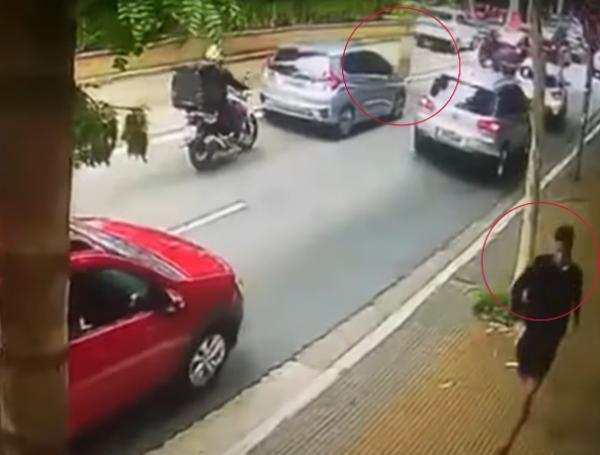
315, 228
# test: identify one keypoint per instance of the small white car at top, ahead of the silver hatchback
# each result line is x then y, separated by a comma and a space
428, 32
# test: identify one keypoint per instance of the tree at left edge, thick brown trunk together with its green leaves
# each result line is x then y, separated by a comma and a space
47, 126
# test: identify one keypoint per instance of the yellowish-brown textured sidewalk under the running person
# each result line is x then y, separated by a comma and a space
439, 384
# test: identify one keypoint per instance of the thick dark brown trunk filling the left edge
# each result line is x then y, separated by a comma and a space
37, 43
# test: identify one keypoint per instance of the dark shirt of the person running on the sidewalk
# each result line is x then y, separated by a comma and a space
550, 290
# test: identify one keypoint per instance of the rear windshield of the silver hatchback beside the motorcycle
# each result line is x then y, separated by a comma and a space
302, 64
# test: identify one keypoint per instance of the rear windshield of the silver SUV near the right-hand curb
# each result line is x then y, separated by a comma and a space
471, 98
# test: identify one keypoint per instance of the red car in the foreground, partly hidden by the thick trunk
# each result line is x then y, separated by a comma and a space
145, 309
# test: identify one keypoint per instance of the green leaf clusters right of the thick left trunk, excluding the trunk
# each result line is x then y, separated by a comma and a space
125, 27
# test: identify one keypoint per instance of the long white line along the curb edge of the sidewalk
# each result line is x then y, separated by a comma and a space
328, 377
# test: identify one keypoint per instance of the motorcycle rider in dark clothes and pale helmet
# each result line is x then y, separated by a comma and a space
215, 80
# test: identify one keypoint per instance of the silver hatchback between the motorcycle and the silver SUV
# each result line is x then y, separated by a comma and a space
305, 81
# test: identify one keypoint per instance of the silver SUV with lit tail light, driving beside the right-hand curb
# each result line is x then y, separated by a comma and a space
488, 117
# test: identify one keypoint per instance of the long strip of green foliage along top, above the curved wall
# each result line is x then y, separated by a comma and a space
126, 26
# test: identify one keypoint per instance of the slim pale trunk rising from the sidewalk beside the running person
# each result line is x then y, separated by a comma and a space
529, 226
